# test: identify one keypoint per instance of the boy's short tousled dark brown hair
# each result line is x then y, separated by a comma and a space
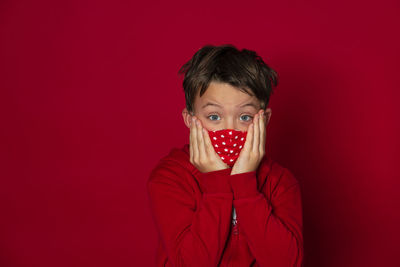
243, 69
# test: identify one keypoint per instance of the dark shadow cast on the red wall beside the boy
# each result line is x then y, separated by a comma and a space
305, 134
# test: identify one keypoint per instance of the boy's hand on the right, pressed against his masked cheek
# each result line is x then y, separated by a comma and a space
254, 148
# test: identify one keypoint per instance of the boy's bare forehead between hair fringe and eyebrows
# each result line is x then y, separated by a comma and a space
225, 95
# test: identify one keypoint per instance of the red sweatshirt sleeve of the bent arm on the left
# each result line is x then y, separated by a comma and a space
192, 235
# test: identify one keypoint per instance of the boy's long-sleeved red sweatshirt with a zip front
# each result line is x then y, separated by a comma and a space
193, 214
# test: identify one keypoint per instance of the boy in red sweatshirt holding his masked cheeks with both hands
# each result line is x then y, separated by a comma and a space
220, 201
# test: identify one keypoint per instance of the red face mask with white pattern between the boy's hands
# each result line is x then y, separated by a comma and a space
228, 143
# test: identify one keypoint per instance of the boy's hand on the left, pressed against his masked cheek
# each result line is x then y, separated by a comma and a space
202, 153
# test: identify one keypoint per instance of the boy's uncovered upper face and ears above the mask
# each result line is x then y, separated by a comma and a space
223, 106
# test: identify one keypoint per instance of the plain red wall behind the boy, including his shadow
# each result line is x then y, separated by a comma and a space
91, 100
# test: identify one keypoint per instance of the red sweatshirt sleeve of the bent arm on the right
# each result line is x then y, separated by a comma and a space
272, 227
